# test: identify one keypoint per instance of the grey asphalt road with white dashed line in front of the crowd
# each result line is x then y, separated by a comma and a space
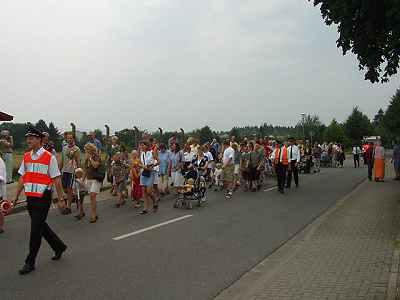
194, 257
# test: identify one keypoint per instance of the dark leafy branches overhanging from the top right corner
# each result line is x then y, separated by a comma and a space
368, 28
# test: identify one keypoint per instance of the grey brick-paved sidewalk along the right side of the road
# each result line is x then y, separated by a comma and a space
347, 253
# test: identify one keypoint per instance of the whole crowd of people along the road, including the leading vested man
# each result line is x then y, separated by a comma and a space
154, 170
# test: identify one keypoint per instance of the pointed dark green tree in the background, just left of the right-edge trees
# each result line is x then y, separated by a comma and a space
357, 126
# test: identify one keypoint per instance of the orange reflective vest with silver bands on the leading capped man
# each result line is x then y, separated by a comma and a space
36, 178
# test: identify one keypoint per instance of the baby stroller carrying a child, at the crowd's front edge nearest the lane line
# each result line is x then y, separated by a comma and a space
194, 189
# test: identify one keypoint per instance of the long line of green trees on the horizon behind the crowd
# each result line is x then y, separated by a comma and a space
357, 125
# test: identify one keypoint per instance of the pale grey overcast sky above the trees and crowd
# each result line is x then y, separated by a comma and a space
176, 63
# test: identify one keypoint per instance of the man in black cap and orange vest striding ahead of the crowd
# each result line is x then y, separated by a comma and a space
39, 171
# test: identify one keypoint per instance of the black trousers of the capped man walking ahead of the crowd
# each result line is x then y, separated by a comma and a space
38, 209
